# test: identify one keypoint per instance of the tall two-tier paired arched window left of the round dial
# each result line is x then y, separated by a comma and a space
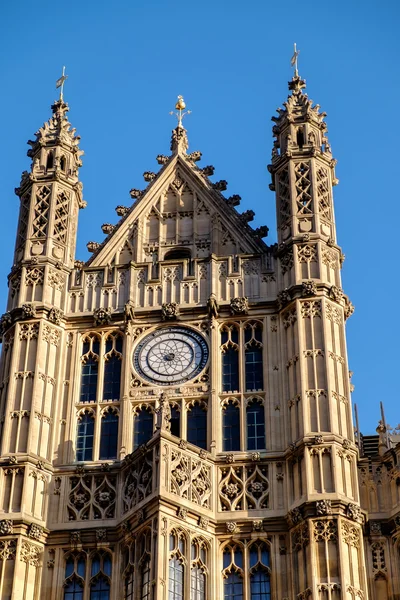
97, 427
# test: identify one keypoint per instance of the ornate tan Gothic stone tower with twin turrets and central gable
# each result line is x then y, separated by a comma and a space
176, 417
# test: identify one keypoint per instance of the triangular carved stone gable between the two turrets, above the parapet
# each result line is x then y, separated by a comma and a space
181, 208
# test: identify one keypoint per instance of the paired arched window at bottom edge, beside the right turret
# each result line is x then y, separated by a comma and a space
246, 571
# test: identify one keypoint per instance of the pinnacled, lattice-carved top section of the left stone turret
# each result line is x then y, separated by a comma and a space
51, 192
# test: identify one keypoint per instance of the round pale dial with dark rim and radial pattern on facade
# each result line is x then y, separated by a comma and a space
171, 355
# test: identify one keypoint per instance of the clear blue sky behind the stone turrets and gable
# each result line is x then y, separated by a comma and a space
128, 60
